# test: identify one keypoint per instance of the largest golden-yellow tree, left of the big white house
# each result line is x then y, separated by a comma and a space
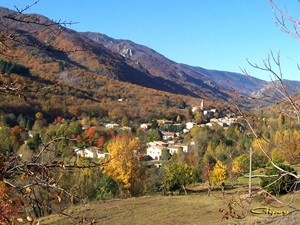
123, 165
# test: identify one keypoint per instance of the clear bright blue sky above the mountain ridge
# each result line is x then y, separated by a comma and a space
213, 34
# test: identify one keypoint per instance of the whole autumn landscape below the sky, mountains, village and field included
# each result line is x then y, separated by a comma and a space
97, 130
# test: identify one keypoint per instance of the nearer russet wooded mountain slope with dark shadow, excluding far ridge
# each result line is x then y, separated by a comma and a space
88, 77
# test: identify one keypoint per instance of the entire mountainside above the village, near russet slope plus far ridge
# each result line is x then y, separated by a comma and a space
92, 69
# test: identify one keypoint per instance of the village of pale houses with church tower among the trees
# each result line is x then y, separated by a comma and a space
171, 142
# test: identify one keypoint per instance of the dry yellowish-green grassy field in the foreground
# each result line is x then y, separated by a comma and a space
195, 208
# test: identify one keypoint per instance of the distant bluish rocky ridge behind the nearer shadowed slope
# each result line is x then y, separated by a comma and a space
159, 65
